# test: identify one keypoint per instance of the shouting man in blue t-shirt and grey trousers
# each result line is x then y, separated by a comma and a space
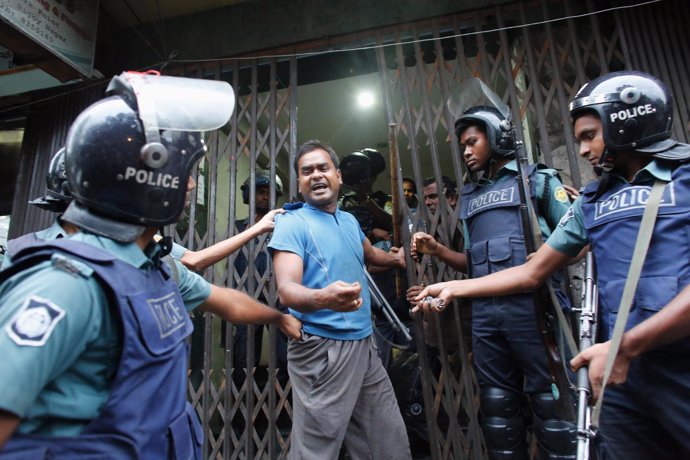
341, 392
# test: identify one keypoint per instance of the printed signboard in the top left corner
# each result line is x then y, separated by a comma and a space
67, 28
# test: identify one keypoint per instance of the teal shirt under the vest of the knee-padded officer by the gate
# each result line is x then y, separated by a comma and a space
557, 200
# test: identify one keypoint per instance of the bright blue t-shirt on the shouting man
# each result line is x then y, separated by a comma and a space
331, 249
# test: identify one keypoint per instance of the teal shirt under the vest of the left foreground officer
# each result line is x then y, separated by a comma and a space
59, 382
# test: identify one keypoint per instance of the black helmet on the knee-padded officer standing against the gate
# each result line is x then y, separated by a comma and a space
497, 127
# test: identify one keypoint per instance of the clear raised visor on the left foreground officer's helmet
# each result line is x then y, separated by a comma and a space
182, 104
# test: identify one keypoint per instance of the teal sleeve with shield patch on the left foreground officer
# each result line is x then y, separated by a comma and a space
48, 318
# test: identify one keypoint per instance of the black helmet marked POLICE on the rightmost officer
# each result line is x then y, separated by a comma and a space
635, 109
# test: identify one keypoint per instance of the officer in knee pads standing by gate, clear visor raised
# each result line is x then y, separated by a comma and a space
509, 357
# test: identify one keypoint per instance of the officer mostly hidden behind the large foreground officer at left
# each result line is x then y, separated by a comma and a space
55, 200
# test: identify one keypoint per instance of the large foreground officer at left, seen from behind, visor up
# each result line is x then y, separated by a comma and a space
92, 327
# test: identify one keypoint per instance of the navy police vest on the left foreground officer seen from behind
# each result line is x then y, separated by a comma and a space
146, 415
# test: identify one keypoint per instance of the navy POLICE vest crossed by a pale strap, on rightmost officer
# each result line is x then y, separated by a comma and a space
612, 222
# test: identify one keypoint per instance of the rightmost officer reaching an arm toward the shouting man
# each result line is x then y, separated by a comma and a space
623, 123
